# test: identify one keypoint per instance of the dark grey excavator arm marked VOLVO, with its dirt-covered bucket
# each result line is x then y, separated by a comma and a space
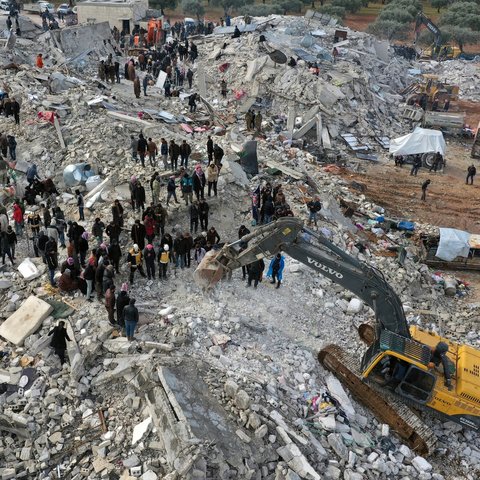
315, 251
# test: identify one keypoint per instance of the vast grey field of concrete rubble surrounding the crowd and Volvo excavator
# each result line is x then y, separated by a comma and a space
224, 385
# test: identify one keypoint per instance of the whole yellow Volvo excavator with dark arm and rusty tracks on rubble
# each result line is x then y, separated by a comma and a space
396, 370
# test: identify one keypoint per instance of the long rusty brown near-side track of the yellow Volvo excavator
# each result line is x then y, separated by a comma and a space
384, 405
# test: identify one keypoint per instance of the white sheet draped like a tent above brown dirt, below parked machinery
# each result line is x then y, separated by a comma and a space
421, 140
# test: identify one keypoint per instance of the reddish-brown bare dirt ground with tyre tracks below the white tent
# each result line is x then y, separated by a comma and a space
450, 203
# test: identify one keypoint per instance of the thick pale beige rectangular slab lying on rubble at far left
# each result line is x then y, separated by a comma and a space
25, 321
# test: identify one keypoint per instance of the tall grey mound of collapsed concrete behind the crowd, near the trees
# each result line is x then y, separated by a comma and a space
356, 94
